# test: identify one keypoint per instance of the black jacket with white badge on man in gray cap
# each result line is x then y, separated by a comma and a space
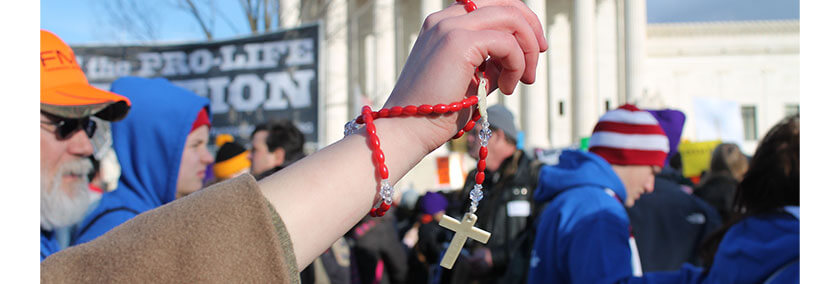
506, 211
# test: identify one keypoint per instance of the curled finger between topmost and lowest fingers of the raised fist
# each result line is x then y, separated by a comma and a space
502, 18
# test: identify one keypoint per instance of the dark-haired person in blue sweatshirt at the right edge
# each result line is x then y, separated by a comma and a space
761, 244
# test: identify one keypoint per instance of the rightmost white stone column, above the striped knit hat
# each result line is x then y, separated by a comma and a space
635, 34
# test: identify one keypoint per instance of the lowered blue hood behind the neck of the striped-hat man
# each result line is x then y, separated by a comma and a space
577, 169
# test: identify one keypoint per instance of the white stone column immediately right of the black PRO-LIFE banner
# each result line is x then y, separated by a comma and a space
336, 84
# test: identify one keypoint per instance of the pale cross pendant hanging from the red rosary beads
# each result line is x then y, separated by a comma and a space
463, 230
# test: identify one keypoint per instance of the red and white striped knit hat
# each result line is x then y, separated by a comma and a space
629, 136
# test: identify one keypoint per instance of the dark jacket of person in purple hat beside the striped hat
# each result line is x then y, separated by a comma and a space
669, 225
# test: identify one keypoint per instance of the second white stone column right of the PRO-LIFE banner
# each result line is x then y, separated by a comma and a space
386, 53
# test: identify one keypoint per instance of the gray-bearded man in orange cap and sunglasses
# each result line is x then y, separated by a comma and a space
67, 103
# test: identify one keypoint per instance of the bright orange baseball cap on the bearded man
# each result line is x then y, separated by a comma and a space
65, 90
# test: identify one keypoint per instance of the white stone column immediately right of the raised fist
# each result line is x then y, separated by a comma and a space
535, 96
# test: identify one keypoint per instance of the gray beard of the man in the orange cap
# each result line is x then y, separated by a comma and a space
58, 209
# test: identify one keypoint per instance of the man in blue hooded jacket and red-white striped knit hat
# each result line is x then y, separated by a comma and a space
584, 234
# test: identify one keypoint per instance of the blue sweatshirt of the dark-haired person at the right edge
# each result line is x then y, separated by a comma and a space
760, 249
